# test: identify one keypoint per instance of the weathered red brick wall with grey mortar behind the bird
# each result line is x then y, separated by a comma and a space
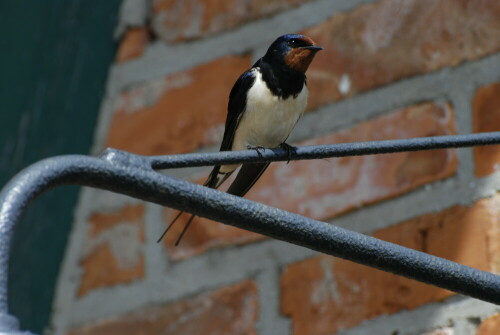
390, 69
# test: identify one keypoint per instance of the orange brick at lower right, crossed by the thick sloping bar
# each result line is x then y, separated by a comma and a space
323, 295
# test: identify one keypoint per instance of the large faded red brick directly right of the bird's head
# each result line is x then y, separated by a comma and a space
379, 43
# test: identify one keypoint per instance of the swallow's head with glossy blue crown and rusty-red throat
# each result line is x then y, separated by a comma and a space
294, 51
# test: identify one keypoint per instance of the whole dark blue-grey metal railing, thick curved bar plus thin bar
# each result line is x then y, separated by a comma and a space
135, 176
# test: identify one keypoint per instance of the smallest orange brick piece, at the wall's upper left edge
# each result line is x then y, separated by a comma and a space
133, 44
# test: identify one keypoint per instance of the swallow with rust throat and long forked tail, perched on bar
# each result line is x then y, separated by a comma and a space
264, 106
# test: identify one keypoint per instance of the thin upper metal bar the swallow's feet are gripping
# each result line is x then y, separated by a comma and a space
324, 151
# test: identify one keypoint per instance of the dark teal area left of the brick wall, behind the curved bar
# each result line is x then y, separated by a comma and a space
54, 60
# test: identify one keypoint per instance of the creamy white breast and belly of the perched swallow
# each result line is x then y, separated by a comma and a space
268, 120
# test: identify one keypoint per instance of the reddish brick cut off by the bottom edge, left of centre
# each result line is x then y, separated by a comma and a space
230, 310
